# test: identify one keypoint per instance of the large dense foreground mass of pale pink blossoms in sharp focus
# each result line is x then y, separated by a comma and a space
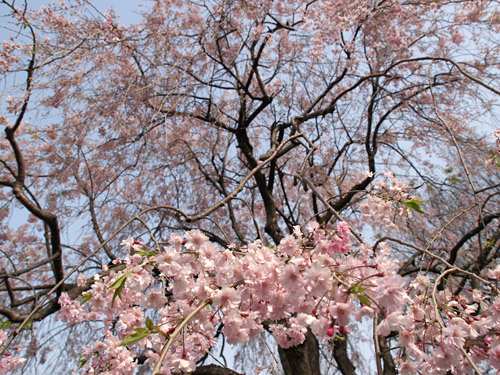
315, 280
